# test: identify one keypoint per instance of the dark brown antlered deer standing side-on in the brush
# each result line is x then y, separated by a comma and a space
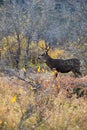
60, 65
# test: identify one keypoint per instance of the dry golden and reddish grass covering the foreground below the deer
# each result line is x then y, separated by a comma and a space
54, 110
